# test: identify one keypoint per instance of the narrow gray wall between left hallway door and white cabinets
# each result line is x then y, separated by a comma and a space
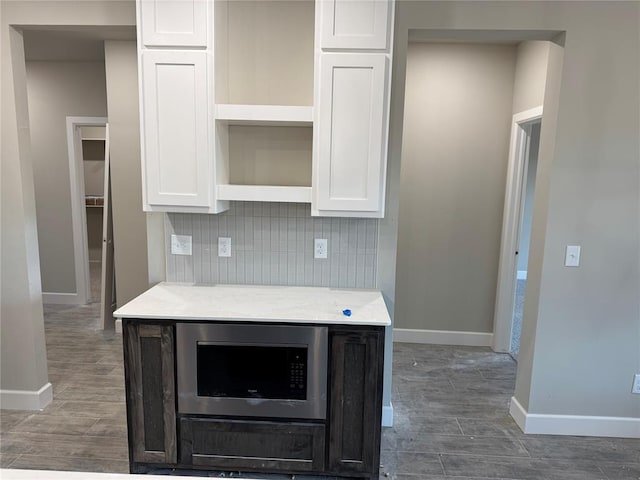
129, 221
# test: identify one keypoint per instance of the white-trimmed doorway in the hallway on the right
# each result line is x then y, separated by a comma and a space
516, 230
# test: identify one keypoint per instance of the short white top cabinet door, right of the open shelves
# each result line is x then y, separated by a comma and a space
355, 24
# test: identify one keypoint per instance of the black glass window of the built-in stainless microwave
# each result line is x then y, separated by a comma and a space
250, 371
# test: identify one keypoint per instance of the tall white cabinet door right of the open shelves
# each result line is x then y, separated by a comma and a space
350, 148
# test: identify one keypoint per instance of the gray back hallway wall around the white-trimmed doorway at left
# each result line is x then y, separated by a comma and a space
57, 90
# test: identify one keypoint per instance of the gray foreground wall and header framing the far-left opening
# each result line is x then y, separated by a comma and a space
23, 362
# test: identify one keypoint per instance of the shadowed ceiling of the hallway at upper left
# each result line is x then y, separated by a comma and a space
71, 43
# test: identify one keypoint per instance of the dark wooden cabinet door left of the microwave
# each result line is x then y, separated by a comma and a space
150, 380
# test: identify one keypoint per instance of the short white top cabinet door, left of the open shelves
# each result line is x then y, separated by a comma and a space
174, 23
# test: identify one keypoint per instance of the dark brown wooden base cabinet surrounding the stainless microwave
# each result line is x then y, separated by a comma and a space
346, 444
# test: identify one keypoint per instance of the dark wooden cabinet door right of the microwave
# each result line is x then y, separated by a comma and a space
356, 358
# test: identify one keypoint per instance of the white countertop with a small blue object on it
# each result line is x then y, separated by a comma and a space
258, 303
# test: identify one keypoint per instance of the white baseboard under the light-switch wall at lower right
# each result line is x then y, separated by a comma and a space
581, 425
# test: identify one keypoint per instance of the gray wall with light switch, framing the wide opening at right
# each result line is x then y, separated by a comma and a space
587, 193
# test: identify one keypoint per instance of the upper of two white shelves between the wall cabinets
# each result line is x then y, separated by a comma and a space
277, 115
